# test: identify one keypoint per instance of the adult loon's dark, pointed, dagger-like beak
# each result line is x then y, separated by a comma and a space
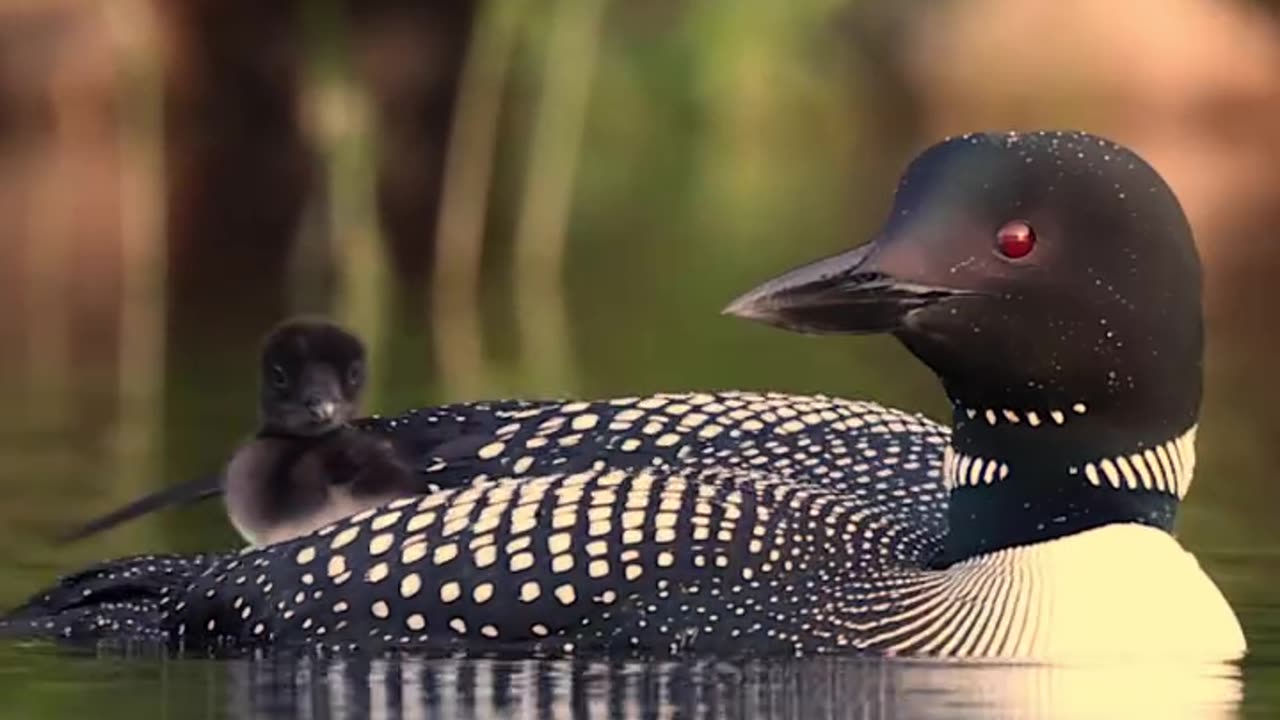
852, 293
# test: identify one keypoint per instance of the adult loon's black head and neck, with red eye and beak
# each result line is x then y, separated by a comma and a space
1052, 282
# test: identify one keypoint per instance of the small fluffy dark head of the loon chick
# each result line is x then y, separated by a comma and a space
312, 380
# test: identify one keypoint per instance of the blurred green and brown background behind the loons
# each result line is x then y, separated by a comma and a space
556, 198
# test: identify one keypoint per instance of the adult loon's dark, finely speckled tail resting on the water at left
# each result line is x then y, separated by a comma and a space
118, 600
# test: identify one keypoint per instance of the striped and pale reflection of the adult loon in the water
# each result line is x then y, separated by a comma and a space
414, 687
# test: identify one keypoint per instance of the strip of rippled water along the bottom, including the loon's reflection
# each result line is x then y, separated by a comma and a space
817, 689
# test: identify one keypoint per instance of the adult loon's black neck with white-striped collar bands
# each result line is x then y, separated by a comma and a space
1022, 477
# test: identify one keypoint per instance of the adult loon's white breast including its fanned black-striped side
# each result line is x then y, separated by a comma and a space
1113, 593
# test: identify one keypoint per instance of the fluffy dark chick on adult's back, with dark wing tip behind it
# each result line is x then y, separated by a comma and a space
307, 467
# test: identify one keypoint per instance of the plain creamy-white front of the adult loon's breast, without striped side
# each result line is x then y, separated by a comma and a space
1114, 593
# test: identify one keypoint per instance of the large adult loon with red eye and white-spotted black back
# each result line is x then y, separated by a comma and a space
1052, 282
